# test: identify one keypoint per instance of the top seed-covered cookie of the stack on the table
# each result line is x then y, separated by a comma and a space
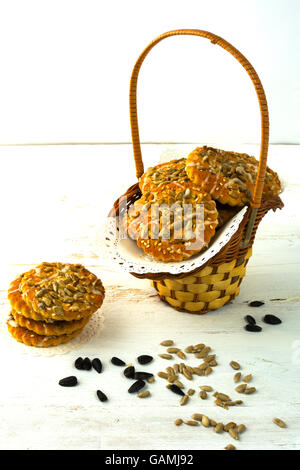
56, 291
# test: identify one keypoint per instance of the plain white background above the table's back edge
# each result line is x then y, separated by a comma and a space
66, 66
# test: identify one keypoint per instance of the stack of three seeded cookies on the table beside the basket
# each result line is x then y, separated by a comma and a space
52, 303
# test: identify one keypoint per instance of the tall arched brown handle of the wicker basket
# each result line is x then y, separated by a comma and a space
256, 200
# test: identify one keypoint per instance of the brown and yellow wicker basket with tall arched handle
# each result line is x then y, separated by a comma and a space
218, 281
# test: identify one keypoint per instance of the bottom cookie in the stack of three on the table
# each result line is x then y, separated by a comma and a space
30, 338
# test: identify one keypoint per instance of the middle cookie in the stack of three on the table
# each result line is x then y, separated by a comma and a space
55, 328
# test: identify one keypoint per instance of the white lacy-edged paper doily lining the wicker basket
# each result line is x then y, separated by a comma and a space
131, 258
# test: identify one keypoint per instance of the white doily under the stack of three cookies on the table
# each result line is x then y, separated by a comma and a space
92, 328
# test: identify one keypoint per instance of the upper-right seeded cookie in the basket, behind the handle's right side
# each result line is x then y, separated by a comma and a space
229, 176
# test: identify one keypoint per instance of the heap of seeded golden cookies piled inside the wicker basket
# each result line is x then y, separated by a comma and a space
221, 182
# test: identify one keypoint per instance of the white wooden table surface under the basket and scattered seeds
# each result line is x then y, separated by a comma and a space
53, 199
